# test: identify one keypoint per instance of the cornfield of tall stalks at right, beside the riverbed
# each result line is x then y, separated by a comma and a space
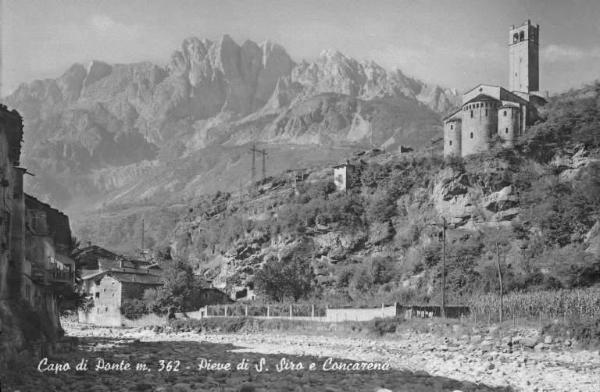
578, 304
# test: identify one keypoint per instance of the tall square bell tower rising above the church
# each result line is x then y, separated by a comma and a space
524, 64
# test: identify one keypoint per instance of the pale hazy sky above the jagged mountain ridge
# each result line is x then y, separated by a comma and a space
454, 43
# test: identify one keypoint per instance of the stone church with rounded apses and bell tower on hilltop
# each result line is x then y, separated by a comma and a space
492, 110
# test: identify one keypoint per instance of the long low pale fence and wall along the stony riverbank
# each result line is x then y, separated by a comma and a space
319, 312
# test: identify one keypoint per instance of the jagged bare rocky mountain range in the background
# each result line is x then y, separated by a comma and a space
127, 134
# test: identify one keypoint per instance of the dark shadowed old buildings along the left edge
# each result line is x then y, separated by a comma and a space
35, 241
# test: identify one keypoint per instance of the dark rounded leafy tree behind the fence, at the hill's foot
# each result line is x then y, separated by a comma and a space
279, 280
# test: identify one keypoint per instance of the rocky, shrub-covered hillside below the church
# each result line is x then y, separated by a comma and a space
535, 207
